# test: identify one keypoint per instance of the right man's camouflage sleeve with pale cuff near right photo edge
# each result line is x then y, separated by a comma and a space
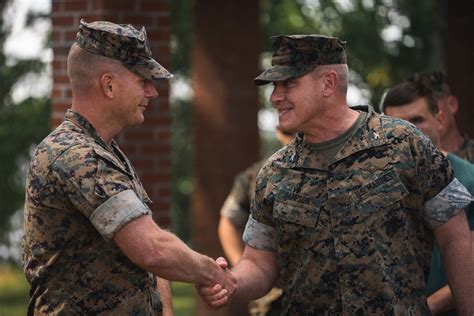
444, 196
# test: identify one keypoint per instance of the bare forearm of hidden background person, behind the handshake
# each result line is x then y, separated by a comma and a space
231, 240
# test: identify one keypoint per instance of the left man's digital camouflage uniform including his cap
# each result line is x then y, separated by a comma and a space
80, 191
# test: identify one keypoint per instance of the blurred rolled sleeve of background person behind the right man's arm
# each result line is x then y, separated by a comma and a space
236, 207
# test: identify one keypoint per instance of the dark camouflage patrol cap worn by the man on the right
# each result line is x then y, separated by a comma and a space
296, 55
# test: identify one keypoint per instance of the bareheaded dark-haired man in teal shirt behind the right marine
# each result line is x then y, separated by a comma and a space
416, 102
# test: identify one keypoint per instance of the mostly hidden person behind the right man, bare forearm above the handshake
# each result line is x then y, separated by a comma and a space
234, 215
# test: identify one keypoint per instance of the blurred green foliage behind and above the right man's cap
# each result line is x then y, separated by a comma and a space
378, 63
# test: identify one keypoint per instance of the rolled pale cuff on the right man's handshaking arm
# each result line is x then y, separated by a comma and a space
260, 236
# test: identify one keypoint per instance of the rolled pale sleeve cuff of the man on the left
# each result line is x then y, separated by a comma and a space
117, 211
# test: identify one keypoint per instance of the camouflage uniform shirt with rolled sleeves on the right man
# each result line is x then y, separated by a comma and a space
353, 235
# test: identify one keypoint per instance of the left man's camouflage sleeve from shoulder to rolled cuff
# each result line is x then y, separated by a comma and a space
99, 189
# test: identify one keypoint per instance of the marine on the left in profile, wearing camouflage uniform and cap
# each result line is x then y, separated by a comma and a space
86, 215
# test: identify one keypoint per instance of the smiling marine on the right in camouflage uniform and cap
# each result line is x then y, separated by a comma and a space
349, 220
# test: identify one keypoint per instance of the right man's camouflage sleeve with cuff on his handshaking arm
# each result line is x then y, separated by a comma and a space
260, 232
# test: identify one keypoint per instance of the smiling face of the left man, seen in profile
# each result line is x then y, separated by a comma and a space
133, 96
